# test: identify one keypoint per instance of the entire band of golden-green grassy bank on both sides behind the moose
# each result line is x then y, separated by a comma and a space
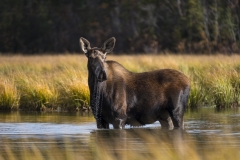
60, 82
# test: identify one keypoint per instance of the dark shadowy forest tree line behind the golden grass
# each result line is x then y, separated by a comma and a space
140, 26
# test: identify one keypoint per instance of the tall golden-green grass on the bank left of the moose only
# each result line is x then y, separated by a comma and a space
43, 83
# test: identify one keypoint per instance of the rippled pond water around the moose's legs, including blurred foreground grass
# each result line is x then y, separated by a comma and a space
208, 134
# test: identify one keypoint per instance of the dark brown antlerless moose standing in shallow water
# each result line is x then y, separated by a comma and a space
121, 97
